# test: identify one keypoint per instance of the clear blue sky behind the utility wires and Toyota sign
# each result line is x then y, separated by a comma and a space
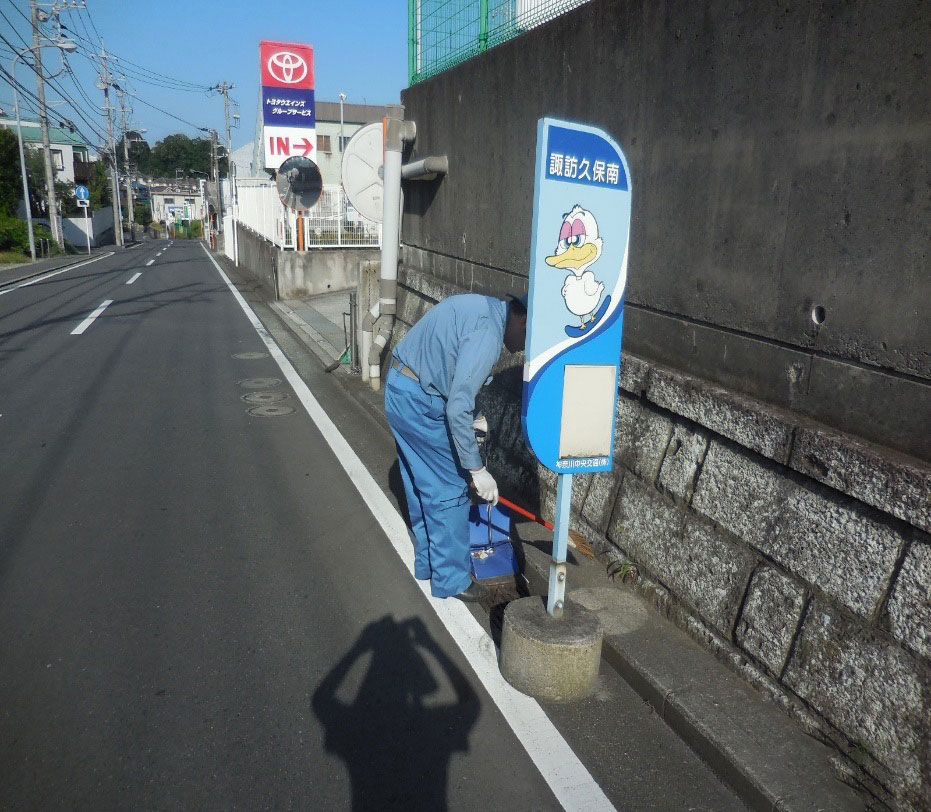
360, 49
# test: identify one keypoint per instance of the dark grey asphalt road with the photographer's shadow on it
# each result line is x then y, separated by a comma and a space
196, 611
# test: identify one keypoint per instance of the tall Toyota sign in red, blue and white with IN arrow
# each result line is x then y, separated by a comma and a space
288, 68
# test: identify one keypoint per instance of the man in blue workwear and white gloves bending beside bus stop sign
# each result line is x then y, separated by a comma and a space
436, 372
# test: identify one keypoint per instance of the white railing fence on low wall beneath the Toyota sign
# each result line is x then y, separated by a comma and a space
332, 223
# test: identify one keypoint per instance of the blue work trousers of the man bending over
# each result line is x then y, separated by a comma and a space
435, 485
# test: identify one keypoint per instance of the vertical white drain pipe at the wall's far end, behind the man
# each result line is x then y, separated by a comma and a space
378, 323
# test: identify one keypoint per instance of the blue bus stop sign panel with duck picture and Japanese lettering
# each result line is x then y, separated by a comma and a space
578, 271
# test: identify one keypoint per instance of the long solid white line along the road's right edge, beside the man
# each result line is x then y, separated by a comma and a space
568, 778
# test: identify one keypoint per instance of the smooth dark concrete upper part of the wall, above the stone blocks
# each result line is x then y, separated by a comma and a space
776, 153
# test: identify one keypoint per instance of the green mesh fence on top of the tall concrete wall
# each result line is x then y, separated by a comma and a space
443, 33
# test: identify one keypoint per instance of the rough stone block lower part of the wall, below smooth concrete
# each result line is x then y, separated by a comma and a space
798, 554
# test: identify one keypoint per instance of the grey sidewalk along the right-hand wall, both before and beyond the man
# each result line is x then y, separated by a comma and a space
747, 741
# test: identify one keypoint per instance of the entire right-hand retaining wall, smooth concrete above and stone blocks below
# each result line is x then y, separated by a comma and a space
771, 489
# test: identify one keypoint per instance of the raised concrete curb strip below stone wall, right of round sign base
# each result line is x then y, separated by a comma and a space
748, 742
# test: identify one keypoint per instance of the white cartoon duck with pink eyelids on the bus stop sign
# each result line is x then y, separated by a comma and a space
579, 247
